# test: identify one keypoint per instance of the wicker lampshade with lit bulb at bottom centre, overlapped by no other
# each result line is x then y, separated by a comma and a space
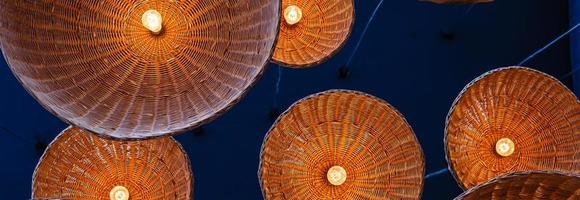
341, 145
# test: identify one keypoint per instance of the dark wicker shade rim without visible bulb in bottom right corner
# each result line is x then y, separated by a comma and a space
533, 185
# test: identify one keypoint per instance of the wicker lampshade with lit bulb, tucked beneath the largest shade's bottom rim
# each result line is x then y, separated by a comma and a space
79, 165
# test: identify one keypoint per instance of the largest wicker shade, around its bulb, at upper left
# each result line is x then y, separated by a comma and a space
94, 64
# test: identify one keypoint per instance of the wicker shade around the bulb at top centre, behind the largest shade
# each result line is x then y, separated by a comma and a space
324, 28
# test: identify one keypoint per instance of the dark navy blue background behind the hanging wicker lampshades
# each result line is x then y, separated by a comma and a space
417, 56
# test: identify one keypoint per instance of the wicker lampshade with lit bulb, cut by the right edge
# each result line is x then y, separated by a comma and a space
512, 119
